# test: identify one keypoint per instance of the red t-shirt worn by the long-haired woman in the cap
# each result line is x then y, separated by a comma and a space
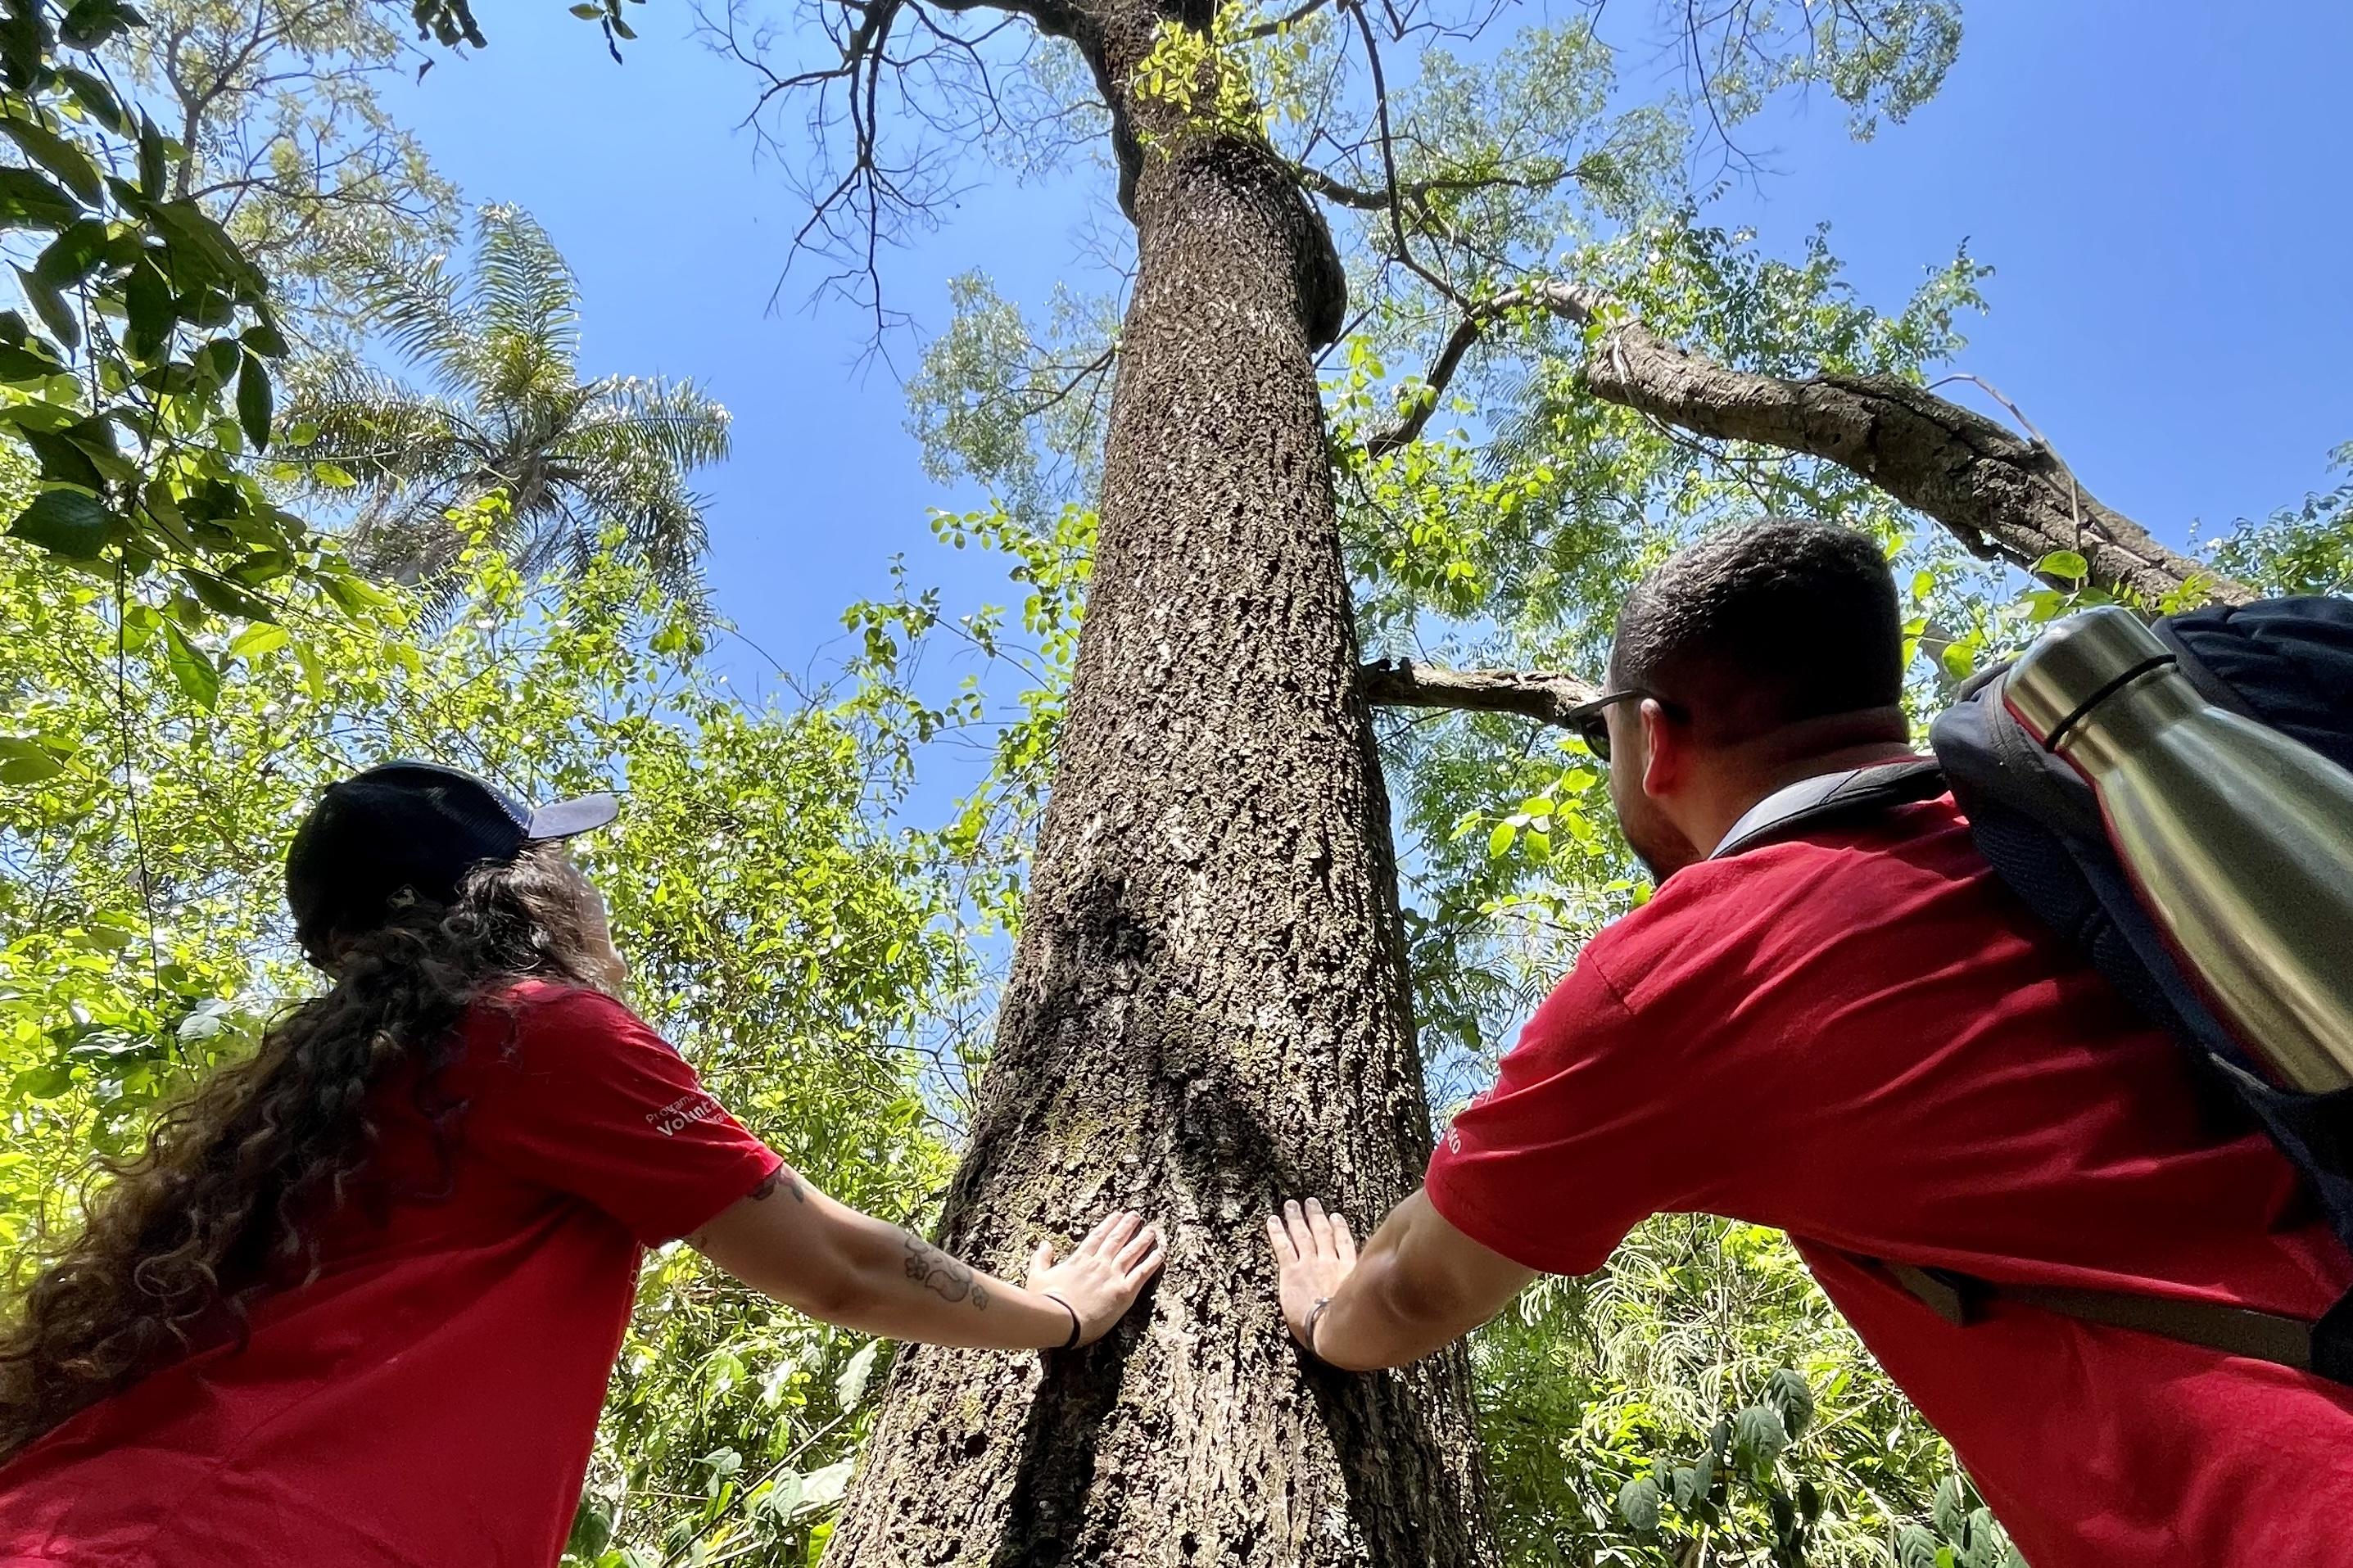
432, 1398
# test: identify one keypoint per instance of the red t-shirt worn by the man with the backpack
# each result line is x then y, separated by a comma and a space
1860, 1038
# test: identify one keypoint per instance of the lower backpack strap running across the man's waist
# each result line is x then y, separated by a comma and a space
2324, 1348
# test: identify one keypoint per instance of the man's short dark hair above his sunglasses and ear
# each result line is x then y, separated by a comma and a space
1764, 626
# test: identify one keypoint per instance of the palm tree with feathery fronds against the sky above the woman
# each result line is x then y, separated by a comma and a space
507, 413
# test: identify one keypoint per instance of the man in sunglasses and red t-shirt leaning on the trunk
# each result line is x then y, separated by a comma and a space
1858, 1036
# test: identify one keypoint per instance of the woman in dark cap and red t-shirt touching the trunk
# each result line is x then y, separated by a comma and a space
359, 1299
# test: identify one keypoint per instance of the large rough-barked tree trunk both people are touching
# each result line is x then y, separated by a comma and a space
1208, 1005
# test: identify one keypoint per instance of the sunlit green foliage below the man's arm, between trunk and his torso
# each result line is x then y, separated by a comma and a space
1700, 1391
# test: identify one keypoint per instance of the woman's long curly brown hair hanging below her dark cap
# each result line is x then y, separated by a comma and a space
227, 1198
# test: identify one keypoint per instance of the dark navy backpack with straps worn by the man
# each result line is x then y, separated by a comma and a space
2281, 662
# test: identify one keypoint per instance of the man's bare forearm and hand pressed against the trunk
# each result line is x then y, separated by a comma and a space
1418, 1287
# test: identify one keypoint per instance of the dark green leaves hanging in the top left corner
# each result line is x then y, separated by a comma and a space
142, 382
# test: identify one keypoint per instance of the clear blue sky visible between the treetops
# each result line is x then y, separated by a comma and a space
2159, 187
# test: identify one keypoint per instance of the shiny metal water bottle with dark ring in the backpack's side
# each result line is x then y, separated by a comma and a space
2239, 838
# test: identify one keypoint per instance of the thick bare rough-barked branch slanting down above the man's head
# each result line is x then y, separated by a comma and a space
2001, 495
